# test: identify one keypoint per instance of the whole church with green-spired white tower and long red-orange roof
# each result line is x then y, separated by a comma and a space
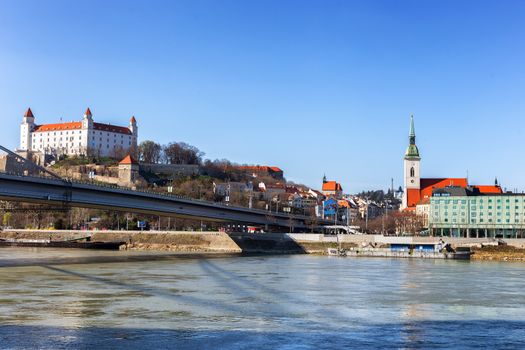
418, 190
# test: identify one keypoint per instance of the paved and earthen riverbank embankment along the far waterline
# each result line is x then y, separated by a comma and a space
267, 243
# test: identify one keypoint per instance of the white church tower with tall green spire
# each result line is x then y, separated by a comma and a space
411, 166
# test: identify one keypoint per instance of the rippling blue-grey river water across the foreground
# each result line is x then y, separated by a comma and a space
257, 302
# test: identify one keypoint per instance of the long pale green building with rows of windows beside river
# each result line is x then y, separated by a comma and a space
466, 212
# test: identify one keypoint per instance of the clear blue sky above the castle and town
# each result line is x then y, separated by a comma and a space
311, 86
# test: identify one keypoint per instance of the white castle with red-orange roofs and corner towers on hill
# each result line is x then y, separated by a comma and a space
77, 138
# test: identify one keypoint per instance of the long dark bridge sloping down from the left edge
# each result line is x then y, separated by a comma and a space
48, 188
